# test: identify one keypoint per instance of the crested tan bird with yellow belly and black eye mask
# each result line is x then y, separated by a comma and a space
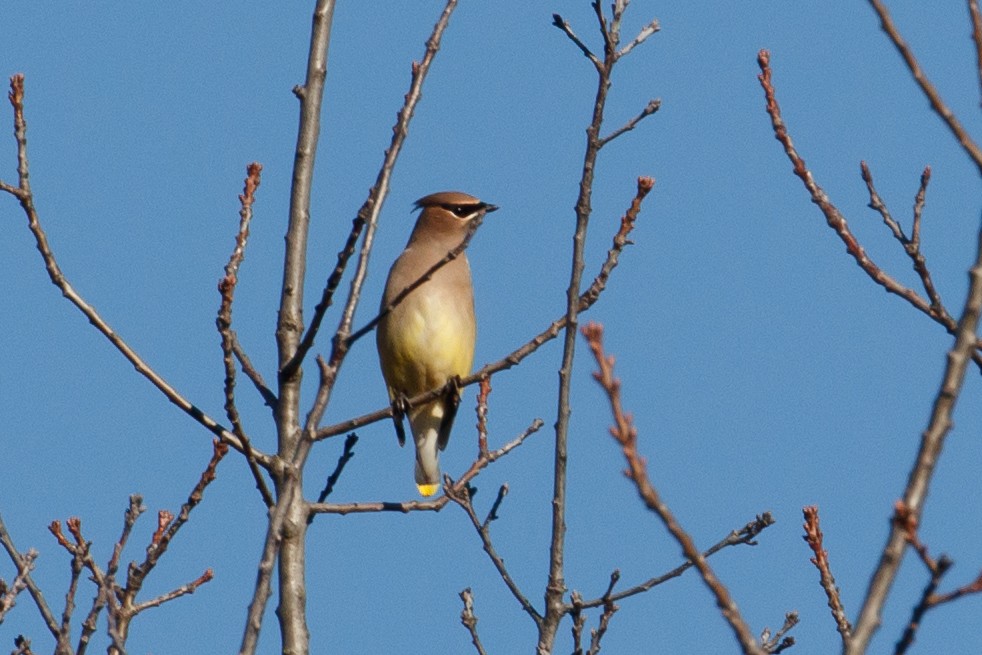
427, 339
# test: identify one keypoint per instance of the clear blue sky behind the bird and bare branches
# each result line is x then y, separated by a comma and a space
764, 370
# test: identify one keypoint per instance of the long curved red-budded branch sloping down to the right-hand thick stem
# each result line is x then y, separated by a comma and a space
835, 219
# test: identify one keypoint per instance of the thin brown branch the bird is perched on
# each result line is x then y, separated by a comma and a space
587, 299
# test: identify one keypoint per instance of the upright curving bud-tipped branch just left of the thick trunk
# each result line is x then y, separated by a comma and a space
226, 287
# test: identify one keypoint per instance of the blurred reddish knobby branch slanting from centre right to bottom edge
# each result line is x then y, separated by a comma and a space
626, 435
